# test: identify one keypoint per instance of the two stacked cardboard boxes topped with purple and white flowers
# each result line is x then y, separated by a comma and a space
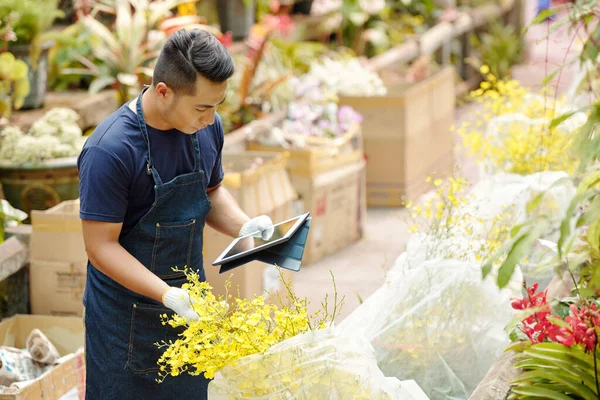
328, 175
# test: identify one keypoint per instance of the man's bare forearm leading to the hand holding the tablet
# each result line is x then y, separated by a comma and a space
226, 216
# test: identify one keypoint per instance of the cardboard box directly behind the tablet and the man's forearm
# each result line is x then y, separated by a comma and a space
267, 190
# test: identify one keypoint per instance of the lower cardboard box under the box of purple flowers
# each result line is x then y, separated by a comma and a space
336, 201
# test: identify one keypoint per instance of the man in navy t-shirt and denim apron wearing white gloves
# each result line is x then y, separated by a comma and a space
149, 181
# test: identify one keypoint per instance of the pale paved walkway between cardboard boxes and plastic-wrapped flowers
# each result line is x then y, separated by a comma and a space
360, 269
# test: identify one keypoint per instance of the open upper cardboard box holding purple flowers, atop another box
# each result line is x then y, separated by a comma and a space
318, 155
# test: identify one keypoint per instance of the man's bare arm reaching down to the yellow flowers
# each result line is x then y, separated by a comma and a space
109, 257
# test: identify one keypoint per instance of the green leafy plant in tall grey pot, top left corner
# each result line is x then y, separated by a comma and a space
35, 17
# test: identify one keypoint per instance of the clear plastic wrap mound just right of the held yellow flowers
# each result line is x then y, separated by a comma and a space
438, 324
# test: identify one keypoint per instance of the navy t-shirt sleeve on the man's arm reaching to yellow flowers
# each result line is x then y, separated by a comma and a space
103, 186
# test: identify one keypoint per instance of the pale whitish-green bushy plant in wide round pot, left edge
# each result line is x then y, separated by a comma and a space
38, 169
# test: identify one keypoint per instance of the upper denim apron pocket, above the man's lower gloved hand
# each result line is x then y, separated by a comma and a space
172, 248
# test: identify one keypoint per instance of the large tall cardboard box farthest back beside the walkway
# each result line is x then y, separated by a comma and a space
407, 137
